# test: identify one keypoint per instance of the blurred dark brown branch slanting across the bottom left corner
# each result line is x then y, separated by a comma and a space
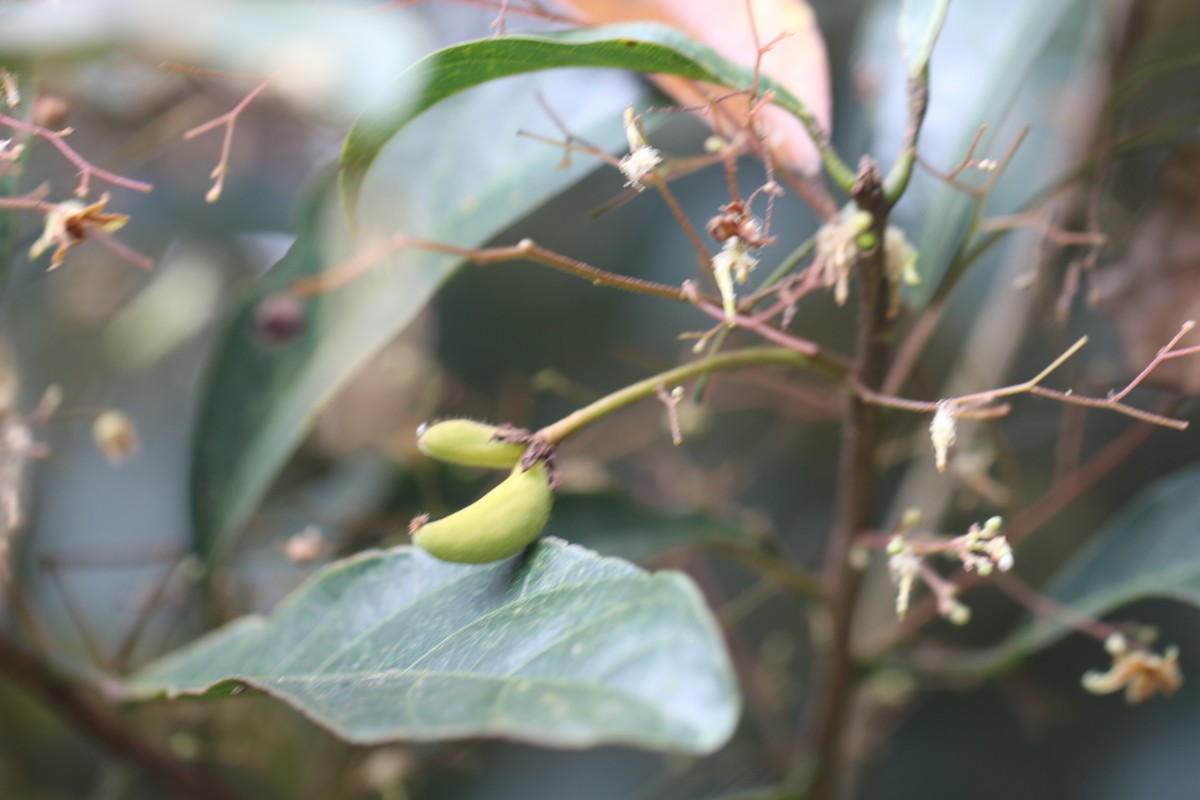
112, 735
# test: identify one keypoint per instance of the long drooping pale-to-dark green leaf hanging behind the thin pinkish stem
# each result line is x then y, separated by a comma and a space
460, 175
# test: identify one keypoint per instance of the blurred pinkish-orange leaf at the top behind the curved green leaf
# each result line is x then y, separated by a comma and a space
796, 61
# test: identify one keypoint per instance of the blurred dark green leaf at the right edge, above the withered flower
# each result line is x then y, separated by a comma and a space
1150, 550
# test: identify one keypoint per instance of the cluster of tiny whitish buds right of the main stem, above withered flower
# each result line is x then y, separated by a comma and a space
982, 550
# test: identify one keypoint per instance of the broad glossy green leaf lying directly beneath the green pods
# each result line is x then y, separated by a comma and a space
560, 648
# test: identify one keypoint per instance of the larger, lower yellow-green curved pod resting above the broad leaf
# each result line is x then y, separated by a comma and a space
497, 526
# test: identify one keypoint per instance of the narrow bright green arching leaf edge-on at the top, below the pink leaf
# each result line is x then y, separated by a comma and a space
640, 47
